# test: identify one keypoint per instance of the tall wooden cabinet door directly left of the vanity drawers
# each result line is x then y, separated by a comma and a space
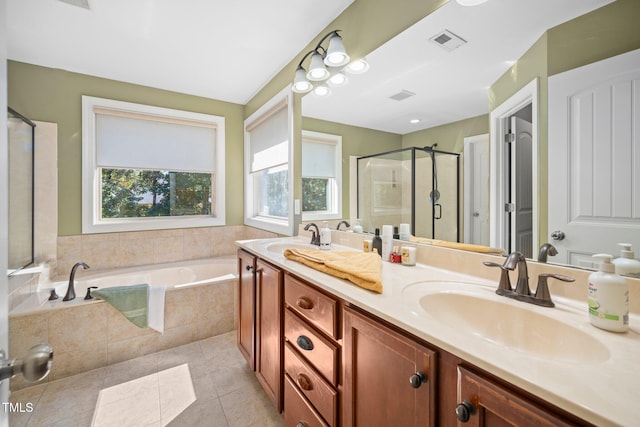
269, 335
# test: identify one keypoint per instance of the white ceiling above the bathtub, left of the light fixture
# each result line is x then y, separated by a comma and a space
221, 49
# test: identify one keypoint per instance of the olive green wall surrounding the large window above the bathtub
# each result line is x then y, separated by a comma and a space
53, 95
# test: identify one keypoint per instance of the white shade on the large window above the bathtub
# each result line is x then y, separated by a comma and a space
132, 142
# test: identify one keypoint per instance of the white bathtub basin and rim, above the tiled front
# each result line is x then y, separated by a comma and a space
170, 275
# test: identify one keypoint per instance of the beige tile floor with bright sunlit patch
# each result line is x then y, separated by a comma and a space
206, 383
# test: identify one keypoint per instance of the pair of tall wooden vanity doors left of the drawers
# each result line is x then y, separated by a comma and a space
260, 333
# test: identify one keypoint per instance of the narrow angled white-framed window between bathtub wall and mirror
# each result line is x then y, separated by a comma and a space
268, 175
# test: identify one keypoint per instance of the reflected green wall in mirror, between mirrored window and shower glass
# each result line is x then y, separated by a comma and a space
356, 141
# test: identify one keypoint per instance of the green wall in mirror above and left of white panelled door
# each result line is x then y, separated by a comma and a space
600, 34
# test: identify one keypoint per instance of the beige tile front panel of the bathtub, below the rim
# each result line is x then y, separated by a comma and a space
92, 335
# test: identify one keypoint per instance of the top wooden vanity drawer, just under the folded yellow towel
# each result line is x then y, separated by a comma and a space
314, 306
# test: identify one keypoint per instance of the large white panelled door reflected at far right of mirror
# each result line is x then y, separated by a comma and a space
594, 158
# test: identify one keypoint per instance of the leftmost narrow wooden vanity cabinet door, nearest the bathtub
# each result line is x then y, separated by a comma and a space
246, 306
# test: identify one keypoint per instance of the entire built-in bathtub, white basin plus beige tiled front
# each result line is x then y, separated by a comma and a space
87, 334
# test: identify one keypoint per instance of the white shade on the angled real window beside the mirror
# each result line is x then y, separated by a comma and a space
270, 141
